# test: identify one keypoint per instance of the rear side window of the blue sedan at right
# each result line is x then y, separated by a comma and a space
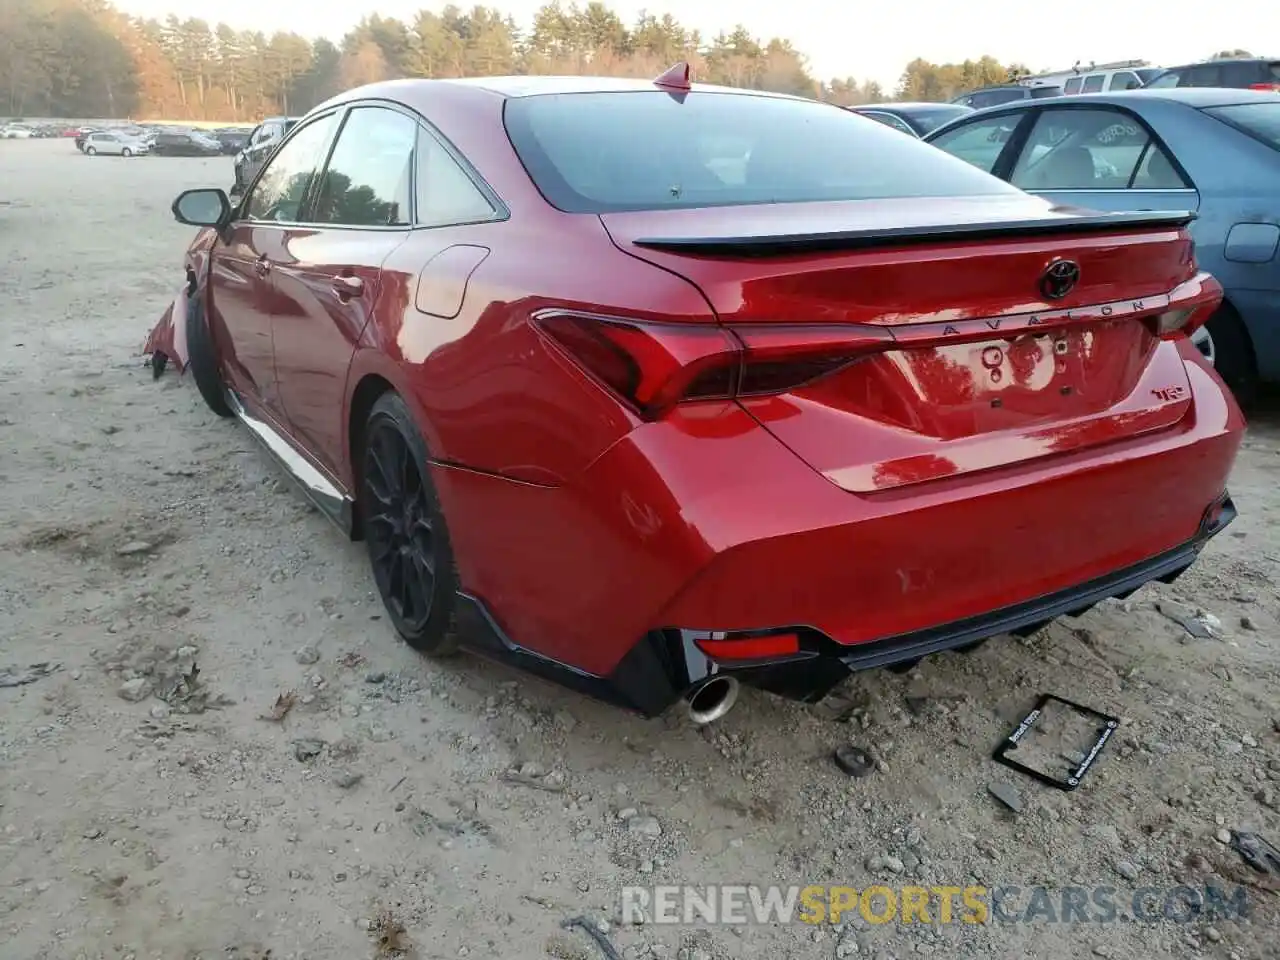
1085, 150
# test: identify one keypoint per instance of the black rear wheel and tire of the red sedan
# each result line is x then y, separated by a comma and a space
405, 531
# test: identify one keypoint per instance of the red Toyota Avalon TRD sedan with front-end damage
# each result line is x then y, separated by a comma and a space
656, 388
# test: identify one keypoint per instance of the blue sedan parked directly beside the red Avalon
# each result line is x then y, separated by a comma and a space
1212, 152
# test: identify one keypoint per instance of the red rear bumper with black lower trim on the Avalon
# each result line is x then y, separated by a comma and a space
706, 523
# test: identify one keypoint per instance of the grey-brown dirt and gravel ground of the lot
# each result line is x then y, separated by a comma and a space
149, 812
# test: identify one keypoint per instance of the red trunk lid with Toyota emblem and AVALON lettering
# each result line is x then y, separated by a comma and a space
995, 331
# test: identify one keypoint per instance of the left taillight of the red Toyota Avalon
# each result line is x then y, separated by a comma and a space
655, 367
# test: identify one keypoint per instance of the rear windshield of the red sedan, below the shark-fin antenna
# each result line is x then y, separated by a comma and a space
600, 153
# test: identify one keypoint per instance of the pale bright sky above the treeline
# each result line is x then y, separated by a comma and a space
844, 42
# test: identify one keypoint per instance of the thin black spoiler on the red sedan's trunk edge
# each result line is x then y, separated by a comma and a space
785, 244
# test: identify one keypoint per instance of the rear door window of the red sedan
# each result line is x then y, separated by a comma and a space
368, 180
